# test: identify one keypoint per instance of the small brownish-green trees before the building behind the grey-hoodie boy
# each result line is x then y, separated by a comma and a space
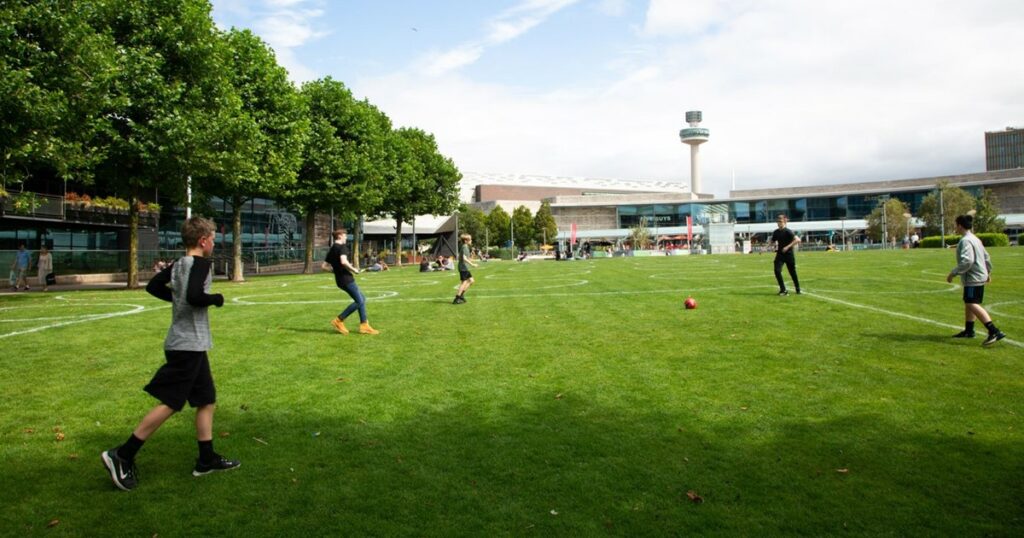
938, 211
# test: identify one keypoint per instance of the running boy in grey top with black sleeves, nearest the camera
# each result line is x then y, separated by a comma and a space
186, 377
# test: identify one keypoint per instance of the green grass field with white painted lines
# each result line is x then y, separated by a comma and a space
564, 399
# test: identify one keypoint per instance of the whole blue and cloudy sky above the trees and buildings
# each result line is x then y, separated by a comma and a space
795, 93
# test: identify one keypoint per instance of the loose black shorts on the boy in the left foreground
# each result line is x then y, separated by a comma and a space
186, 377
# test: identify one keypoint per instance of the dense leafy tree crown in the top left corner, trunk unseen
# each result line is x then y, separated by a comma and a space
56, 72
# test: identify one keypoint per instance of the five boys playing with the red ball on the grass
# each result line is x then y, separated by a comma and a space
186, 378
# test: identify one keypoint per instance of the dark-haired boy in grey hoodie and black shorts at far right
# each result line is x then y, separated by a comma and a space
974, 269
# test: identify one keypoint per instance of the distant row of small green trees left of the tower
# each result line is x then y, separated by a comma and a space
498, 227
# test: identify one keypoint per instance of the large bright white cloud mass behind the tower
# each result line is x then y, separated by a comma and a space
795, 93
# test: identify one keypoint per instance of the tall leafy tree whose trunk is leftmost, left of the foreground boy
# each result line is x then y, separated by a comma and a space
169, 108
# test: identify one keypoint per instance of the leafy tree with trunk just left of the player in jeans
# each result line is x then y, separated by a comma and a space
344, 163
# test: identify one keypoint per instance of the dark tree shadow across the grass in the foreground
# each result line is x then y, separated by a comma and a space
540, 467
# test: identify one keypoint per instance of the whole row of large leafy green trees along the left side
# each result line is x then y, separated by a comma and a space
139, 96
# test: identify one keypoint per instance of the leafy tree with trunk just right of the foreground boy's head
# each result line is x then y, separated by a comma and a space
274, 128
